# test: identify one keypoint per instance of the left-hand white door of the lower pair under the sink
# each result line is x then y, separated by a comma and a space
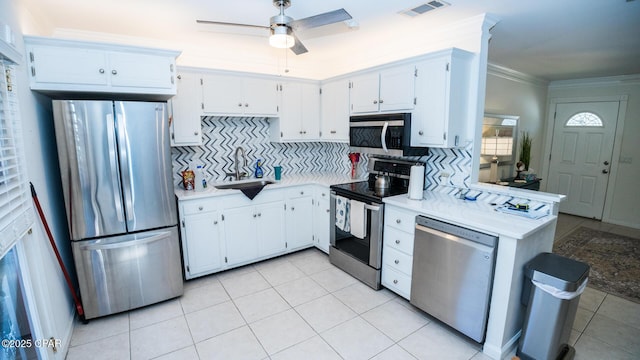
240, 235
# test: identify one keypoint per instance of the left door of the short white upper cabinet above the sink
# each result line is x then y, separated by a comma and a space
222, 94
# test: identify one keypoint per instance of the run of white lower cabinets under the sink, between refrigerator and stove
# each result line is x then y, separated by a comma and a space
221, 232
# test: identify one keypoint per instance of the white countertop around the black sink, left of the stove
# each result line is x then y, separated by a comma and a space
314, 178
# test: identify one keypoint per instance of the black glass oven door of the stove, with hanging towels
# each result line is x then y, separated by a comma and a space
366, 250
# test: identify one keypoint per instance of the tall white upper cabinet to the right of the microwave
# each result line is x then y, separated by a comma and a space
442, 109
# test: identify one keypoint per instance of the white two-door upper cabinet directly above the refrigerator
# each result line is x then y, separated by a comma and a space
76, 66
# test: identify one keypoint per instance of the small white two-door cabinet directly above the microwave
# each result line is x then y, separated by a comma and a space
387, 90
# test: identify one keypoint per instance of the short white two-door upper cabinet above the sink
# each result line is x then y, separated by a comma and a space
239, 95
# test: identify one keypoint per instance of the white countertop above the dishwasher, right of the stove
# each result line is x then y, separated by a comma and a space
476, 215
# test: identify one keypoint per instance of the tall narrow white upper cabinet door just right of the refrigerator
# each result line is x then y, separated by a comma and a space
186, 123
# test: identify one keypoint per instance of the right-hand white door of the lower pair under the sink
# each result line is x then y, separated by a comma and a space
270, 229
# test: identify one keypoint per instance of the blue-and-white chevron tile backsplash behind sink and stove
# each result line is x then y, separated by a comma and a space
222, 135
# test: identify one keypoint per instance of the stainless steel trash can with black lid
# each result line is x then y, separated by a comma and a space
551, 293
